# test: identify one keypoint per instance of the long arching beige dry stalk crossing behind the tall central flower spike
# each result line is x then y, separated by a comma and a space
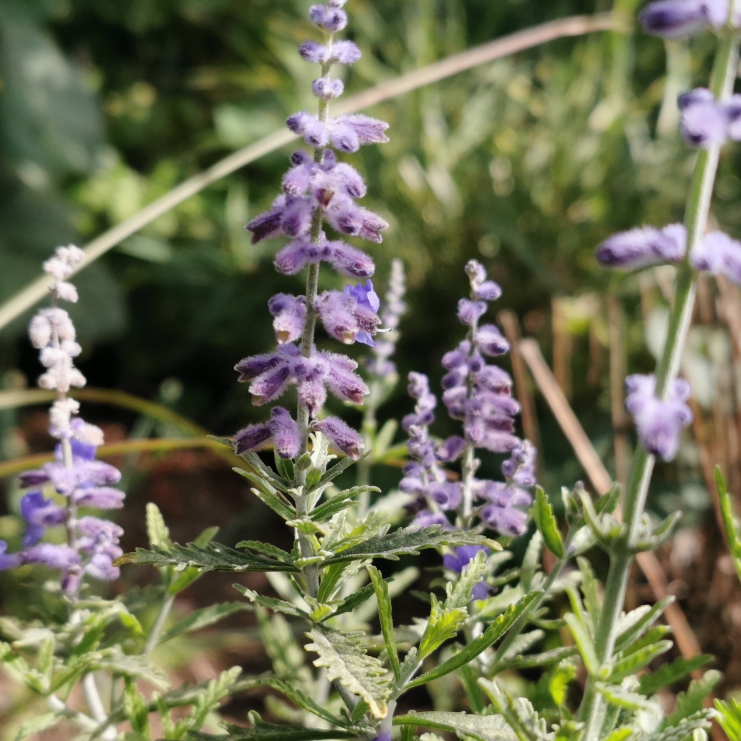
516, 42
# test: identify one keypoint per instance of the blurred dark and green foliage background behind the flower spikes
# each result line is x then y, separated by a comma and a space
525, 164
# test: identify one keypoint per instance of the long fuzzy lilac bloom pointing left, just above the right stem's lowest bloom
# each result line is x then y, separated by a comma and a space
639, 248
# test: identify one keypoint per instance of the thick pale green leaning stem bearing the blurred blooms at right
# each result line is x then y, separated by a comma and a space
696, 216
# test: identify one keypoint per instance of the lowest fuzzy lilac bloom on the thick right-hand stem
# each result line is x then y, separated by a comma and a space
659, 423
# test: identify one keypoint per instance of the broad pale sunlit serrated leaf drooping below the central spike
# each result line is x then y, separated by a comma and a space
349, 663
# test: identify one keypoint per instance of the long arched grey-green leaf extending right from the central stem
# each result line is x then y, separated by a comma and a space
408, 541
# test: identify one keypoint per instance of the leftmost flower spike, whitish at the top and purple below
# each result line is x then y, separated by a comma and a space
81, 481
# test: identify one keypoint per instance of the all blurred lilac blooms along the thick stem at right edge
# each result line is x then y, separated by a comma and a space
705, 122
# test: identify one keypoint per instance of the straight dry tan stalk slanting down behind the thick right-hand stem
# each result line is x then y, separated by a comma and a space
601, 480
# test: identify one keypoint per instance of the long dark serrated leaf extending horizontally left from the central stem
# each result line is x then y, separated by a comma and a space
213, 557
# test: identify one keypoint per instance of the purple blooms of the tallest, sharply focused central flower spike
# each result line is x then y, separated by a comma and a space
318, 189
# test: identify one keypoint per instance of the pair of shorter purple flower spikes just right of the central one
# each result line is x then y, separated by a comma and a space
480, 396
